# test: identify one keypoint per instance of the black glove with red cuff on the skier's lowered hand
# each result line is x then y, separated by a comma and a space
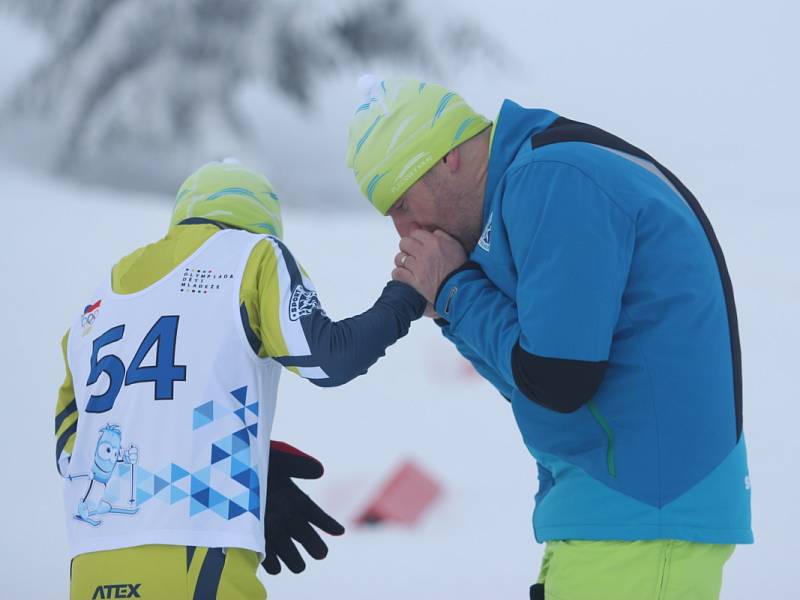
290, 513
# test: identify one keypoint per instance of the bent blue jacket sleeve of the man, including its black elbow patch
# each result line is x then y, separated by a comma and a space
571, 247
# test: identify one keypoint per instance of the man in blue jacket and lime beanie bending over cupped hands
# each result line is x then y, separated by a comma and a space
584, 281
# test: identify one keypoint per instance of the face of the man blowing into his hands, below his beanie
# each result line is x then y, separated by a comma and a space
434, 202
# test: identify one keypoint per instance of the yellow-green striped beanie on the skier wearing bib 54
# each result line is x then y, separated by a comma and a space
230, 193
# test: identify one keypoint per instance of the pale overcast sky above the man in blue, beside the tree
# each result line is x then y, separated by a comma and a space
710, 87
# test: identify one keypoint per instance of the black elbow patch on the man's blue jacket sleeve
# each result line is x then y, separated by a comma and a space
559, 384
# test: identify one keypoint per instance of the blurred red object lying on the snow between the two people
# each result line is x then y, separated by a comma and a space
407, 494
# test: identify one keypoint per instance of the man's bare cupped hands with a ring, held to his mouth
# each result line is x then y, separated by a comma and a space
425, 259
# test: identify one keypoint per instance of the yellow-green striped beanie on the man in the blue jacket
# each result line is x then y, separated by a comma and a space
401, 129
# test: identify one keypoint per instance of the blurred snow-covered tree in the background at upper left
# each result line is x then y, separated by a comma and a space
143, 81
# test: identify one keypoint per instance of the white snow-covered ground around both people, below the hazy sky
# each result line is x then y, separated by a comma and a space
419, 402
